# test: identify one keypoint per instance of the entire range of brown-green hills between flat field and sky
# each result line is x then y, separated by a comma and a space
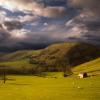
57, 57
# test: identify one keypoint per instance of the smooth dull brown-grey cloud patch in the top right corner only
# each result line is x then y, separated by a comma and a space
92, 6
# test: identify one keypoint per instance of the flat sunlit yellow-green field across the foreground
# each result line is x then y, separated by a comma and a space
41, 88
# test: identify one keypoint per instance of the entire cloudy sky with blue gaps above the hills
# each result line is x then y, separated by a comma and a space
26, 24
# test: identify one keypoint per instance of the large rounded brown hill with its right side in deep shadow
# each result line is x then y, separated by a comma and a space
63, 55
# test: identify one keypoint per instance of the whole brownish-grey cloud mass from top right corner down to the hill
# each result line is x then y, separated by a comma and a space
87, 23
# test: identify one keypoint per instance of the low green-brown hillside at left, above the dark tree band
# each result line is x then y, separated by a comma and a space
18, 59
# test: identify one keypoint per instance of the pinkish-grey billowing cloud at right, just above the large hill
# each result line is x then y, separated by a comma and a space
84, 27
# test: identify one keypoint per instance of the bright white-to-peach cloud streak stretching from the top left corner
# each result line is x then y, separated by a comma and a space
33, 6
